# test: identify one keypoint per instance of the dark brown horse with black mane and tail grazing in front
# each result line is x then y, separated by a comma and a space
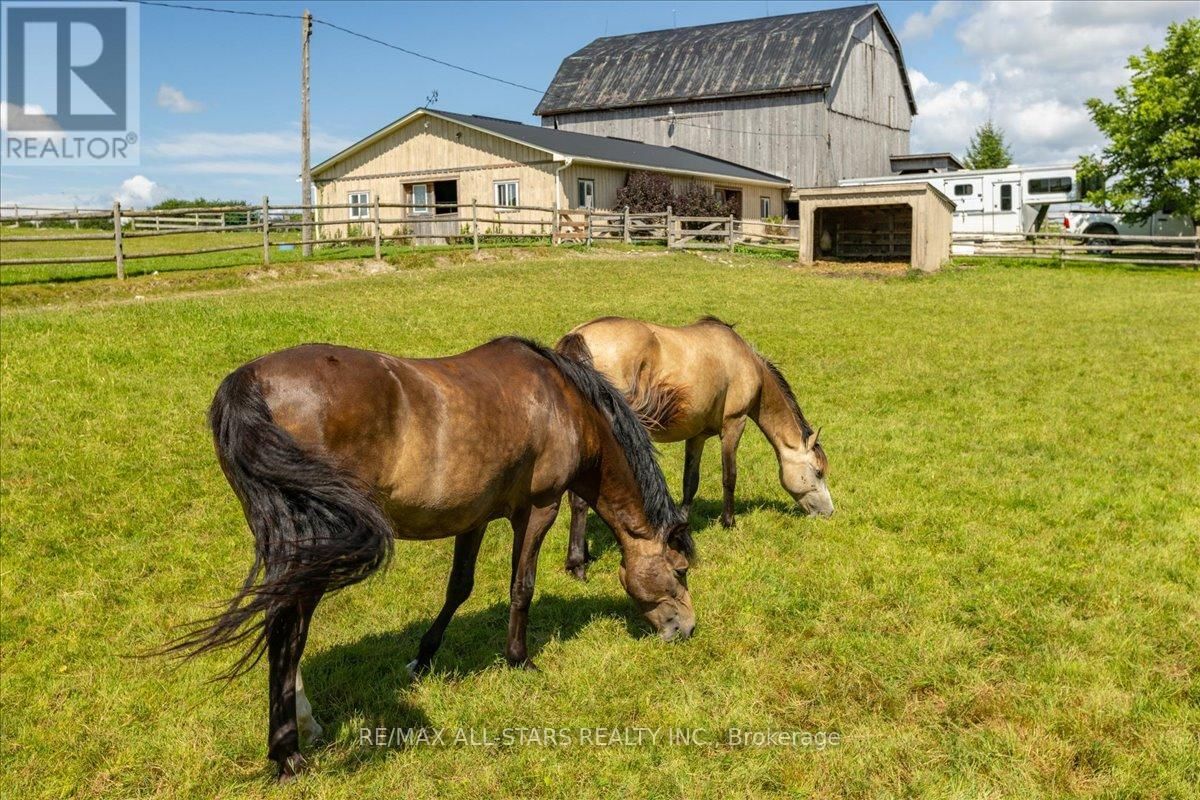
335, 452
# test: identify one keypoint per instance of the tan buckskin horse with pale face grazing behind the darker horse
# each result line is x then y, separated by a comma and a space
693, 383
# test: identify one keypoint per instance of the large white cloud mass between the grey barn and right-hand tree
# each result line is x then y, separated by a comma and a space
1037, 63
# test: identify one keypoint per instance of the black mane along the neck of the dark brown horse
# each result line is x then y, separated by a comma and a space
661, 509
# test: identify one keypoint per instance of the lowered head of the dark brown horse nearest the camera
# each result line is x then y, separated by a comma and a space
655, 573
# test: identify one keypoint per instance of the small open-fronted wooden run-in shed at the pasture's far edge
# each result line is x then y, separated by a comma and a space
907, 222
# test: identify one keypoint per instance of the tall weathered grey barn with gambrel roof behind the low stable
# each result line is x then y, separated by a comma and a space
814, 98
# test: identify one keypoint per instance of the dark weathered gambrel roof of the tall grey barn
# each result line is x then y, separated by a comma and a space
752, 57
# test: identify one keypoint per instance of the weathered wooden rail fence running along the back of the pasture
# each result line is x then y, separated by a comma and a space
477, 225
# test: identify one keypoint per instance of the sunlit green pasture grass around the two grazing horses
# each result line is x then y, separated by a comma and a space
1007, 603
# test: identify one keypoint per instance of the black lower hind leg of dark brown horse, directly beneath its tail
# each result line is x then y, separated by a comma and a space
287, 630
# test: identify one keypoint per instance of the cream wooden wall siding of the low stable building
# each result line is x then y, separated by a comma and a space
433, 149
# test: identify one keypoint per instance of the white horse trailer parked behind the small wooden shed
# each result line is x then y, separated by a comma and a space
1010, 201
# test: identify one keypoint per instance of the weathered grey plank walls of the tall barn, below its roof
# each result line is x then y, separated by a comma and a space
814, 139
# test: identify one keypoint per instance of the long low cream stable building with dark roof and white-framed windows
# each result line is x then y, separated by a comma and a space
441, 163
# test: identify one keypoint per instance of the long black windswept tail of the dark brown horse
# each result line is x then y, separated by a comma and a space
316, 530
